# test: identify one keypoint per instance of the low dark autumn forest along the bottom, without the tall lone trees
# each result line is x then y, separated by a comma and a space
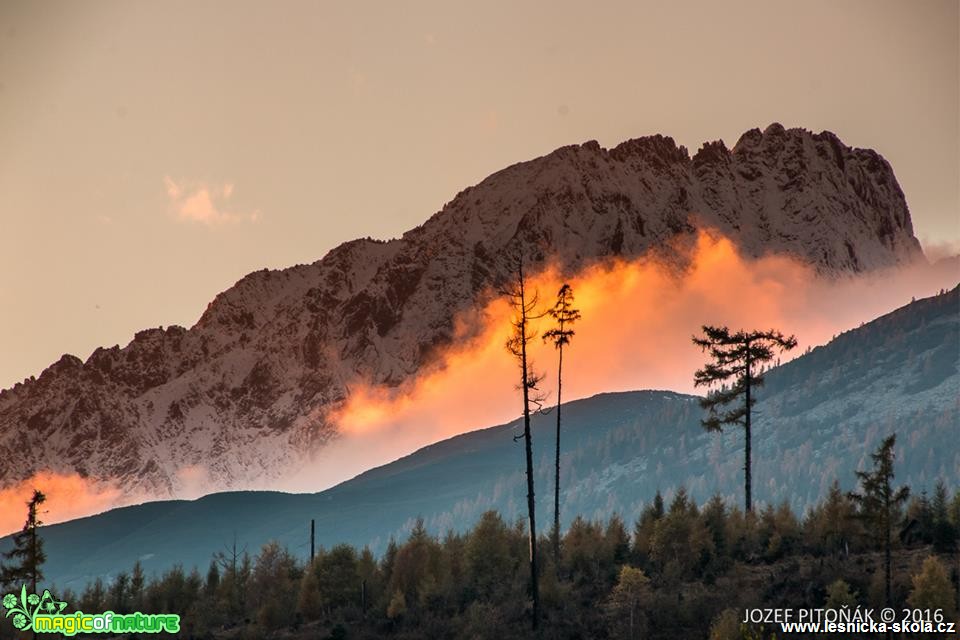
679, 571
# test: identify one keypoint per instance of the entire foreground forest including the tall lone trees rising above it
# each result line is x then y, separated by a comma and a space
682, 570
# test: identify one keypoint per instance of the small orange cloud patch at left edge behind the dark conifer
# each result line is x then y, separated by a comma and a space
68, 496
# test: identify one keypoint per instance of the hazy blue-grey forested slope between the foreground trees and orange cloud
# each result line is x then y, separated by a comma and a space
819, 418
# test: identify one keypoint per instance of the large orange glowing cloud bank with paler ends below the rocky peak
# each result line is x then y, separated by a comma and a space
637, 321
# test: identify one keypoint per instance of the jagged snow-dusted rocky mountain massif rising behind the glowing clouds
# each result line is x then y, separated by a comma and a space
248, 389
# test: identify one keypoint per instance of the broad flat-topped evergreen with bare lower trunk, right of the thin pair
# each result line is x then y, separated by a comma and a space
736, 358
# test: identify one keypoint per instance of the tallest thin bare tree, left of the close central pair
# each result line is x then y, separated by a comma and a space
524, 305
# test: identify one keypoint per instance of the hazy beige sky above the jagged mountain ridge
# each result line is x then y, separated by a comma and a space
153, 154
